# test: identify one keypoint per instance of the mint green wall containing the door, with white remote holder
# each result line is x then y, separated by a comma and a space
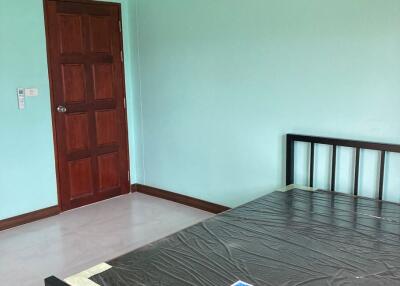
27, 168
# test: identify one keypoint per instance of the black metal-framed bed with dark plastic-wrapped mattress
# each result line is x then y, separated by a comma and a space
294, 236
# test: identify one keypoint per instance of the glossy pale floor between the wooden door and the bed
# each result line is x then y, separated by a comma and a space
76, 240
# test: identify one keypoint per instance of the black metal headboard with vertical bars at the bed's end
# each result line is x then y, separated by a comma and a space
334, 142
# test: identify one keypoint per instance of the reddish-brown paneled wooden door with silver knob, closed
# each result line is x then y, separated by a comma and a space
88, 100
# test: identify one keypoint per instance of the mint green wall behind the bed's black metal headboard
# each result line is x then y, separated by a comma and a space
222, 81
